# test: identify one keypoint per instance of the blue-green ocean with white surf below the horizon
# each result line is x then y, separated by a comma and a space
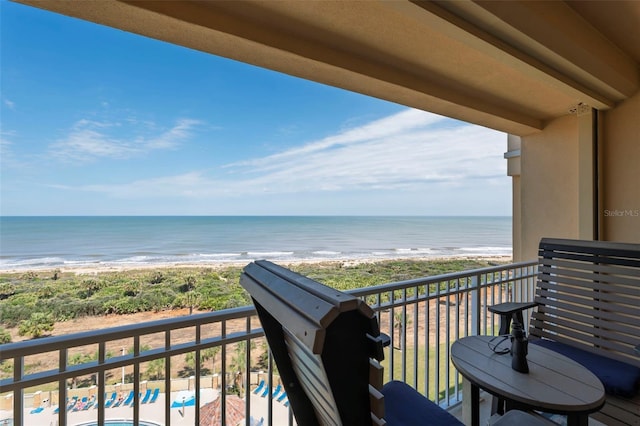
55, 242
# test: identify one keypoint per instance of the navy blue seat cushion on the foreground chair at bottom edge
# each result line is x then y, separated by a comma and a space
404, 406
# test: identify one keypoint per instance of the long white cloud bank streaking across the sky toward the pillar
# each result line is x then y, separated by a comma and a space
409, 151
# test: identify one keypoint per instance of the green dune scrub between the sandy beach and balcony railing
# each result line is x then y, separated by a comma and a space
33, 300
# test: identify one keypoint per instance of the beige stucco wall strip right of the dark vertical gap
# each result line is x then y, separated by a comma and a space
620, 151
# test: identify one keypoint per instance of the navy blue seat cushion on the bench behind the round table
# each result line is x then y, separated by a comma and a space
618, 378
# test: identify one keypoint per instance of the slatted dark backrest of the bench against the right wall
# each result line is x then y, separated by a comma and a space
588, 296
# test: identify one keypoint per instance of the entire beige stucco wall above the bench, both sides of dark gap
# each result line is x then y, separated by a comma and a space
551, 191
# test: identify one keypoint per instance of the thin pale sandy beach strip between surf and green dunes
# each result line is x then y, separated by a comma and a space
94, 269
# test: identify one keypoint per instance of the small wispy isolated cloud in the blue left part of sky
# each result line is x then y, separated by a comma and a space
89, 140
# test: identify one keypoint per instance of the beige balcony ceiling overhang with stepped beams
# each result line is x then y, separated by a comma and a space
511, 66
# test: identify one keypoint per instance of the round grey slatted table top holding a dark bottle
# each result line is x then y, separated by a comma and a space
554, 383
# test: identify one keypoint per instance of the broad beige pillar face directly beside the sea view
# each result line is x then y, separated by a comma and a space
548, 186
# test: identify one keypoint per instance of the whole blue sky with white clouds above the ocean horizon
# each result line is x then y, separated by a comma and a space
96, 121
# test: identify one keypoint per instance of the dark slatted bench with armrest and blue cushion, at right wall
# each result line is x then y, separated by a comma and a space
587, 307
